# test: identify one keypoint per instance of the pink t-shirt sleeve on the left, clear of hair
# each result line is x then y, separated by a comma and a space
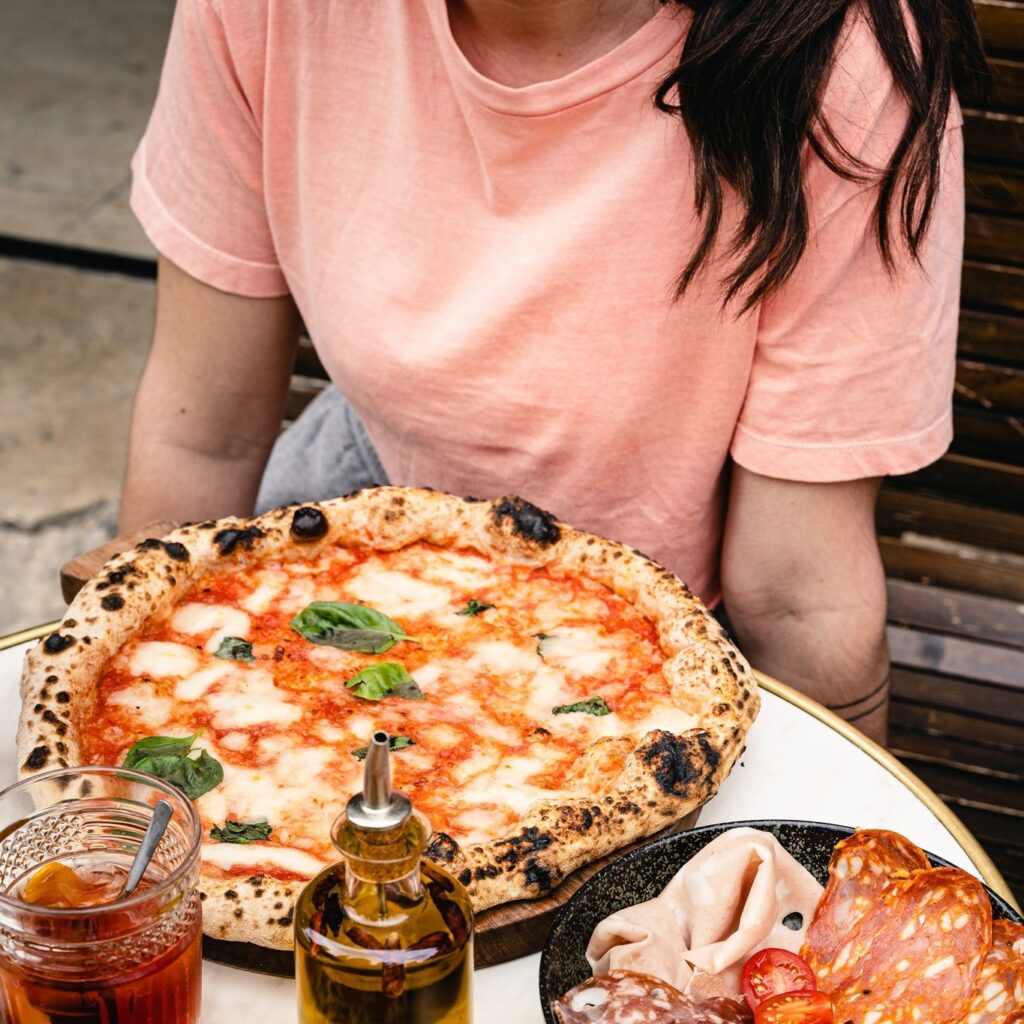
198, 174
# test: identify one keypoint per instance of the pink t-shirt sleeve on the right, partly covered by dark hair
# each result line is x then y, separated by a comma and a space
854, 369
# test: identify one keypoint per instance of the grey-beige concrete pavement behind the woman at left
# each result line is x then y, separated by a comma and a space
77, 82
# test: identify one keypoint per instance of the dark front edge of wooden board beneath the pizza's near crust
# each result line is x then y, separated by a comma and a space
501, 934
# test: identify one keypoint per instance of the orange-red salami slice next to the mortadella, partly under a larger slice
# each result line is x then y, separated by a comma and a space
861, 870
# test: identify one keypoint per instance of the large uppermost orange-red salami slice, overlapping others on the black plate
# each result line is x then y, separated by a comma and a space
915, 957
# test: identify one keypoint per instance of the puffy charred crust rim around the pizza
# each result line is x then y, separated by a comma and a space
665, 778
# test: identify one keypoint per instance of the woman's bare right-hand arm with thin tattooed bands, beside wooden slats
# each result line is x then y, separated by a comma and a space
806, 592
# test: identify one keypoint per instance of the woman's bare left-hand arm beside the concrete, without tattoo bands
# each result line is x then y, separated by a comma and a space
210, 402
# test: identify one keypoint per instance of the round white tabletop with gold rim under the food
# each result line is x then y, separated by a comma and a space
801, 762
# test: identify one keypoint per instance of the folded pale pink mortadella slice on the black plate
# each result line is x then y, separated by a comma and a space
742, 893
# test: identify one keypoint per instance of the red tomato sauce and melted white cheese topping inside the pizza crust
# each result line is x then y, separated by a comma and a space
504, 655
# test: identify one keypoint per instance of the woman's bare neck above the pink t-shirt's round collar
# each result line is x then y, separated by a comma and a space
522, 42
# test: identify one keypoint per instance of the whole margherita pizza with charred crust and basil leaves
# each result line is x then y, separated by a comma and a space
551, 696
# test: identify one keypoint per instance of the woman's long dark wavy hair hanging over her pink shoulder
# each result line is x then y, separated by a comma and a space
749, 90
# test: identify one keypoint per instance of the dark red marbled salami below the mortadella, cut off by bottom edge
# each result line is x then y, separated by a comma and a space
628, 998
